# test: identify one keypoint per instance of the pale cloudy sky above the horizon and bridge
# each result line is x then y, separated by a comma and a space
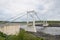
46, 9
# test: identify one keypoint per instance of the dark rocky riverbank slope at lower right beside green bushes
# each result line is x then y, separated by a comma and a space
46, 36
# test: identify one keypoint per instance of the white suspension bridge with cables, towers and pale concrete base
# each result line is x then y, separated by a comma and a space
30, 26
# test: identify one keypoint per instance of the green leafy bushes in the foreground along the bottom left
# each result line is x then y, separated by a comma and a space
22, 35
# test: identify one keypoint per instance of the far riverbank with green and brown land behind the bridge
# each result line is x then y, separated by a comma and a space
51, 23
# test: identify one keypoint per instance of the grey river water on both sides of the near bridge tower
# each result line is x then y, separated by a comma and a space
47, 30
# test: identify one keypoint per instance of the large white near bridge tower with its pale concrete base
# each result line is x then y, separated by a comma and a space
32, 27
